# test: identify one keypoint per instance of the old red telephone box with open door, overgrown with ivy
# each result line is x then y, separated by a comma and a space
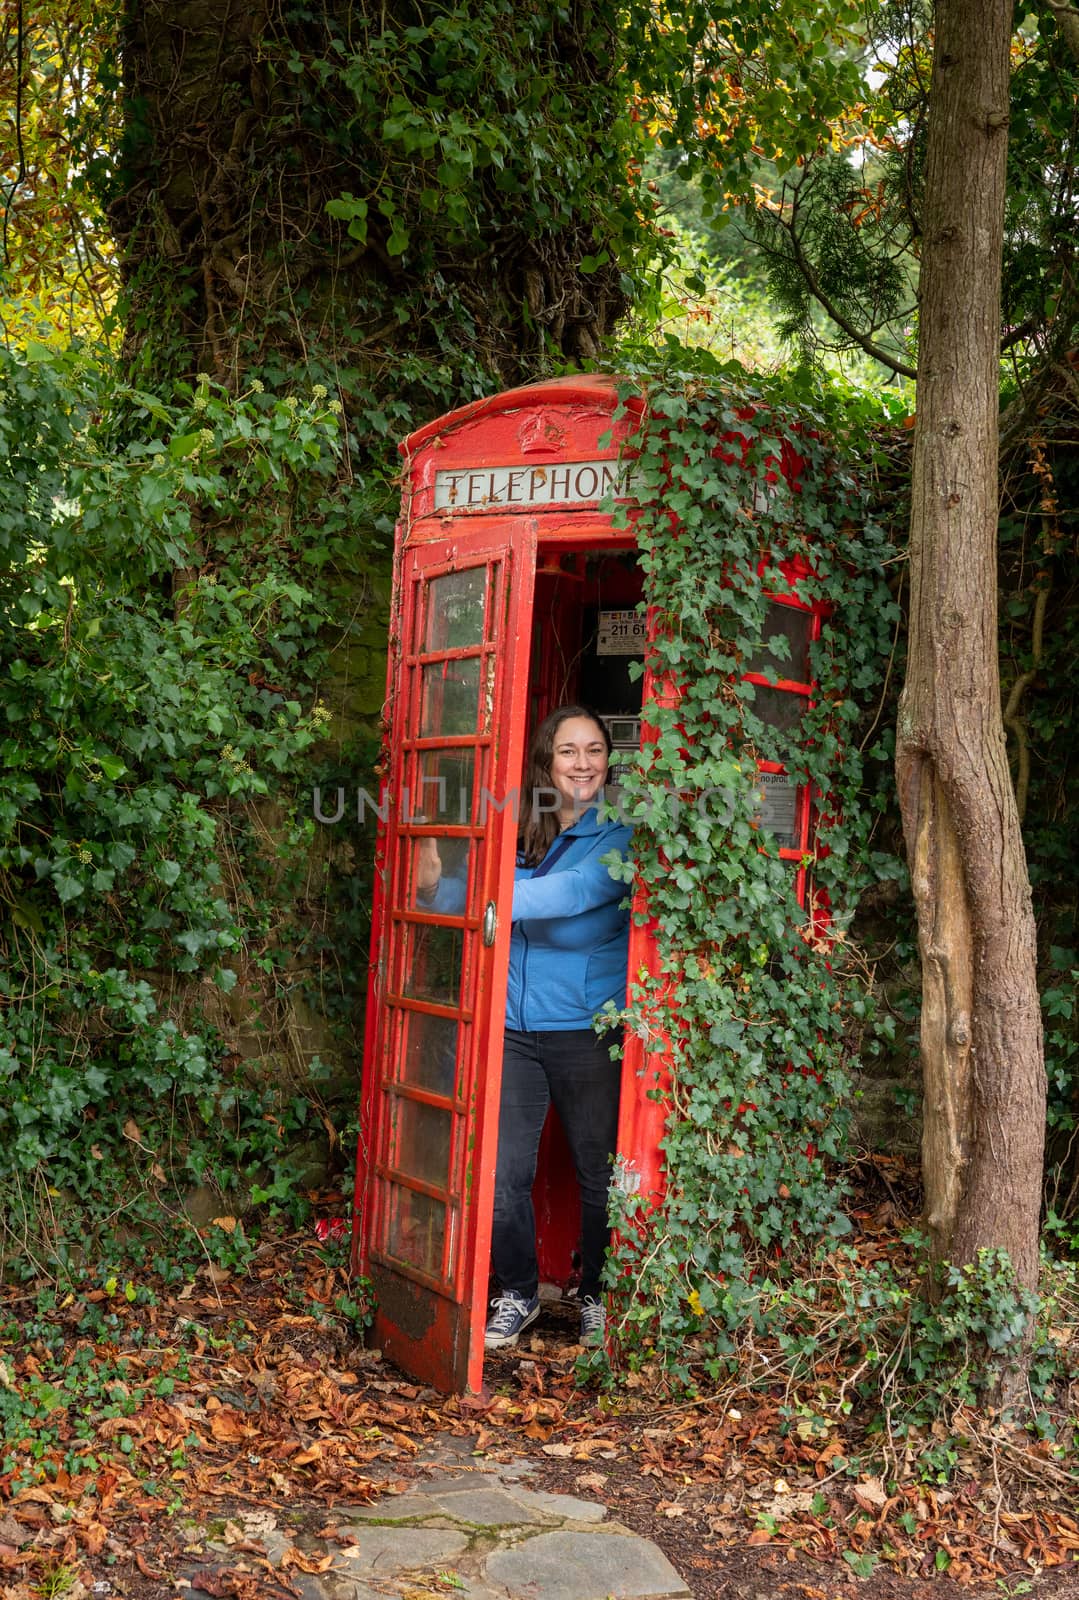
513, 594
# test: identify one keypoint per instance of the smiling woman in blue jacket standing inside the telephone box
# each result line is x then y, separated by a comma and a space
568, 961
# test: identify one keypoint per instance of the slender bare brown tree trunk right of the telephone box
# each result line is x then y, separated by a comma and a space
982, 1042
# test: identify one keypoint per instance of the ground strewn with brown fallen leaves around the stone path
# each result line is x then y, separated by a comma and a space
148, 1428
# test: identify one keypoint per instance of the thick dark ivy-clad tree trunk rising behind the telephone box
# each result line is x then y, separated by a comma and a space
244, 122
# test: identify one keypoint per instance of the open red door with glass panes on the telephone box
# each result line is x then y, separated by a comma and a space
438, 983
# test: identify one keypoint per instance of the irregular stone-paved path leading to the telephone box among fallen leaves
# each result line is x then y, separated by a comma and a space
484, 1535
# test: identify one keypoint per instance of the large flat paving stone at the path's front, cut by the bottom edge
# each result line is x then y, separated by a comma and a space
569, 1566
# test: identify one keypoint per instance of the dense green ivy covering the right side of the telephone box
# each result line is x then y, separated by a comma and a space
763, 991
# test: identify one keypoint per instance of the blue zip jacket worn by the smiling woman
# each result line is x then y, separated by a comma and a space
571, 938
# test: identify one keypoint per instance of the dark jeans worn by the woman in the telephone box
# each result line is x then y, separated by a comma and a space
574, 1071
